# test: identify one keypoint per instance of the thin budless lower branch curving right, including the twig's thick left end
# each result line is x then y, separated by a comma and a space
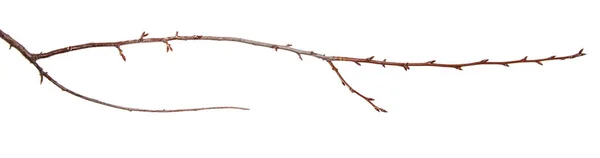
13, 43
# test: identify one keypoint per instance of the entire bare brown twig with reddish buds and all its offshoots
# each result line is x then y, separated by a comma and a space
329, 59
